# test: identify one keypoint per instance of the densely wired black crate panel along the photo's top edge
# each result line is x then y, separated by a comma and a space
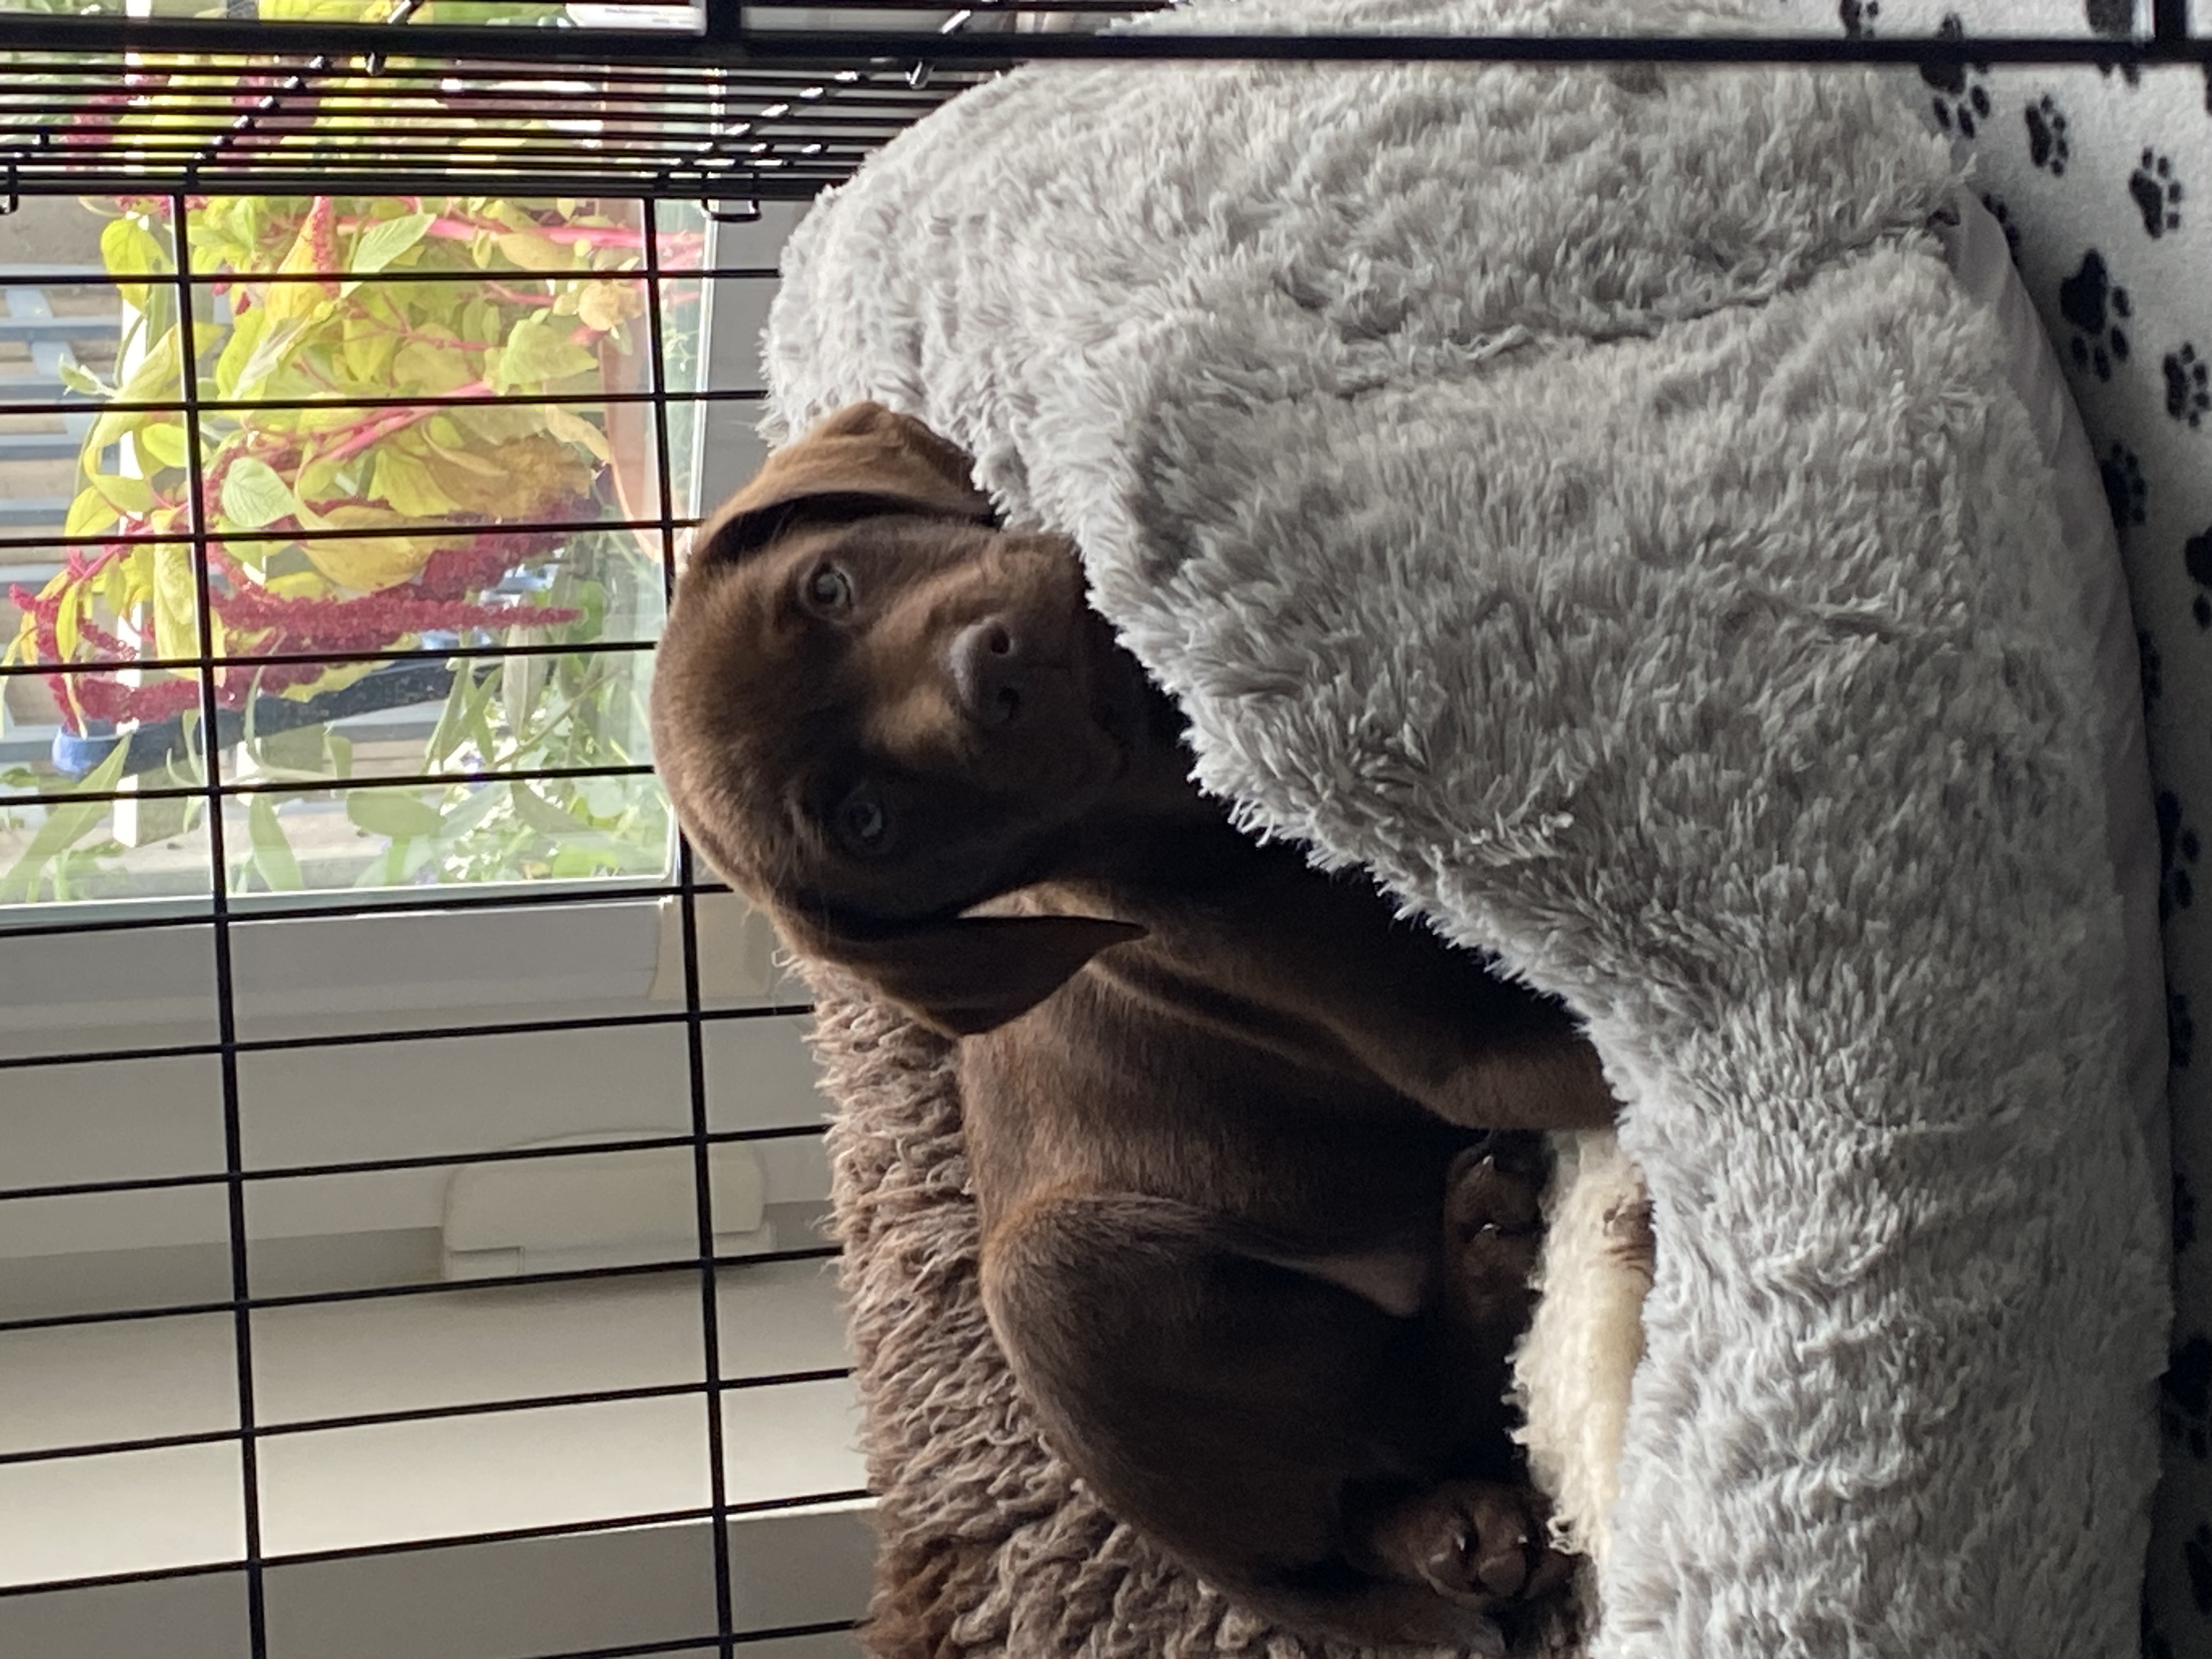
711, 101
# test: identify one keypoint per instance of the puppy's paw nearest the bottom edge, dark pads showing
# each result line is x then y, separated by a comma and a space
1477, 1545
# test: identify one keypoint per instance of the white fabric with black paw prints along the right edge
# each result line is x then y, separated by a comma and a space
2103, 182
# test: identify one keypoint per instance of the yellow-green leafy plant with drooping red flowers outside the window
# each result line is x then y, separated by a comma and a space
399, 404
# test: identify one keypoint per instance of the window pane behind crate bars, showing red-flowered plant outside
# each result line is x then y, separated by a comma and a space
435, 483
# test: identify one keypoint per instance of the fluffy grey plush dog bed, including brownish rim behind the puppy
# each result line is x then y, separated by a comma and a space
1585, 501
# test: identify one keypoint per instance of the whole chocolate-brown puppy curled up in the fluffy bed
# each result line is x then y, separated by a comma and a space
1253, 1158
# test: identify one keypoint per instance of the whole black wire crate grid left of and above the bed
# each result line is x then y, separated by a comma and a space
364, 371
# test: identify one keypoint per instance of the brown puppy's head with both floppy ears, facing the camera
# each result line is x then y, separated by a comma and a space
875, 709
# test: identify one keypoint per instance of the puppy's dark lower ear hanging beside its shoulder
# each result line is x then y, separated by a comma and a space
974, 972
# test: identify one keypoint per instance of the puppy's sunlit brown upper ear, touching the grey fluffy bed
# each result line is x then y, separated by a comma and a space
862, 461
